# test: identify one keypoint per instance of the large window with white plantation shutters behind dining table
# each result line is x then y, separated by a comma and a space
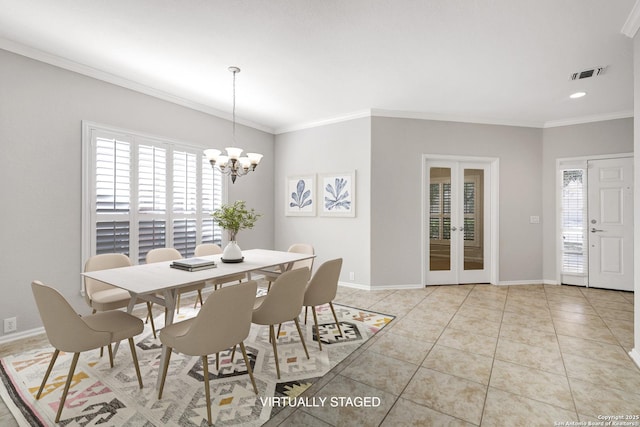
141, 193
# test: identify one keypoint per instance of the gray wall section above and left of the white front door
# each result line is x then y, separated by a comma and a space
608, 137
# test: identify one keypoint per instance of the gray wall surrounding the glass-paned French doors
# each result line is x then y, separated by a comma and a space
396, 182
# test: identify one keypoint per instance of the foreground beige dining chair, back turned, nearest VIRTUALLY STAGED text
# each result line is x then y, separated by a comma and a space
222, 322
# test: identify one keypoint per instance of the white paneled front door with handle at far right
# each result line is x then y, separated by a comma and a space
610, 222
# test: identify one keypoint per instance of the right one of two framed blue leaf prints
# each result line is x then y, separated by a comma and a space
337, 194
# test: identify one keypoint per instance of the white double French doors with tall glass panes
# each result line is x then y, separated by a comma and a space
457, 217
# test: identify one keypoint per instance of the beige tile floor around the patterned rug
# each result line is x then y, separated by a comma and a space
478, 355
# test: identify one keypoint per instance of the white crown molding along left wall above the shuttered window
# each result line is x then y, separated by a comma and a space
89, 71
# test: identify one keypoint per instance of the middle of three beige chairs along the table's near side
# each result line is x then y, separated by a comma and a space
282, 304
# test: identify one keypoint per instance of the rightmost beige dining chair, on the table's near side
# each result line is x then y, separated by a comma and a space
322, 289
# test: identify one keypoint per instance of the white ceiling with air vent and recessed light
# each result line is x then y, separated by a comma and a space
310, 61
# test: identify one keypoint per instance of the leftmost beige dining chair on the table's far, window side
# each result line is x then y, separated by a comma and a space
103, 297
